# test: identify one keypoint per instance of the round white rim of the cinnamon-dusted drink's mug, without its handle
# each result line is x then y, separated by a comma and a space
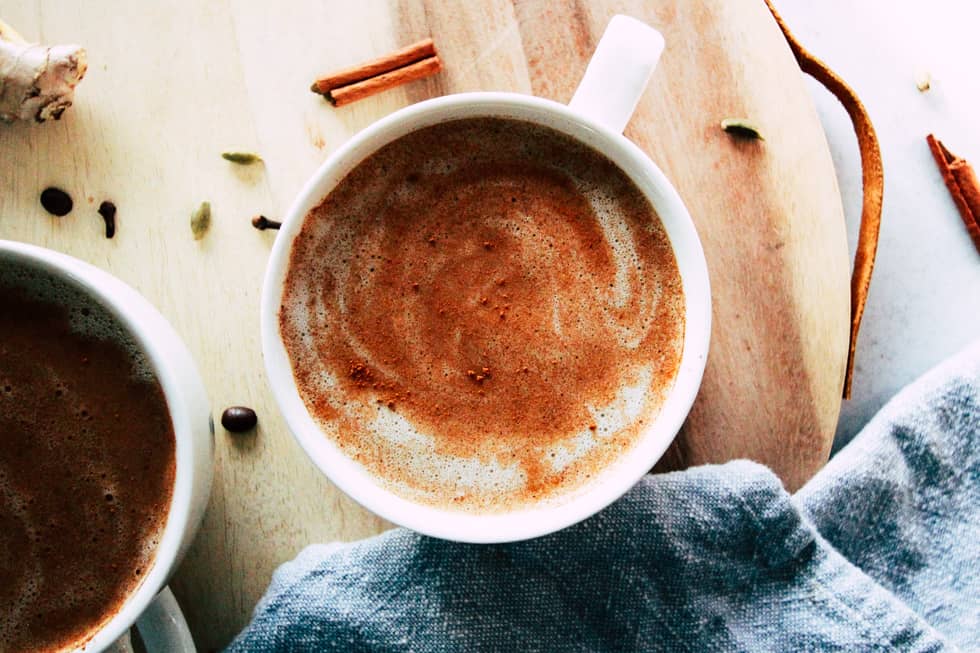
506, 526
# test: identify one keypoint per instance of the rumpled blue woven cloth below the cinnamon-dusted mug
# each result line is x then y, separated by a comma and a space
879, 552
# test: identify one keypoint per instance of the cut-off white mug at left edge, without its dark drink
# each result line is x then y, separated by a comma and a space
151, 607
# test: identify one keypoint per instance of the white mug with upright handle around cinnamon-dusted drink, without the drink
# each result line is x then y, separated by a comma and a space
596, 116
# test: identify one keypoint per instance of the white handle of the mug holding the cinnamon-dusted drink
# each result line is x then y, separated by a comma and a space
618, 72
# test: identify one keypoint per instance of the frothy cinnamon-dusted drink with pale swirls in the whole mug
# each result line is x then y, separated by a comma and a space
484, 313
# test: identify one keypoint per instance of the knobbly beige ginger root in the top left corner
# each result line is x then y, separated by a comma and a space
37, 82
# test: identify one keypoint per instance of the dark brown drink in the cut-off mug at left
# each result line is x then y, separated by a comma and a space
87, 461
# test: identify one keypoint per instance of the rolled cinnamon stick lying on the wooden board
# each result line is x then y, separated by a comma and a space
414, 62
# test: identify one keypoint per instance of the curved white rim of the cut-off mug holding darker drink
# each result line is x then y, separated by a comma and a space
83, 276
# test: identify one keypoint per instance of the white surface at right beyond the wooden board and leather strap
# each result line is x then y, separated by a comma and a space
924, 303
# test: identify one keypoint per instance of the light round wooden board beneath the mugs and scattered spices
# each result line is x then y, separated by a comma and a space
172, 85
